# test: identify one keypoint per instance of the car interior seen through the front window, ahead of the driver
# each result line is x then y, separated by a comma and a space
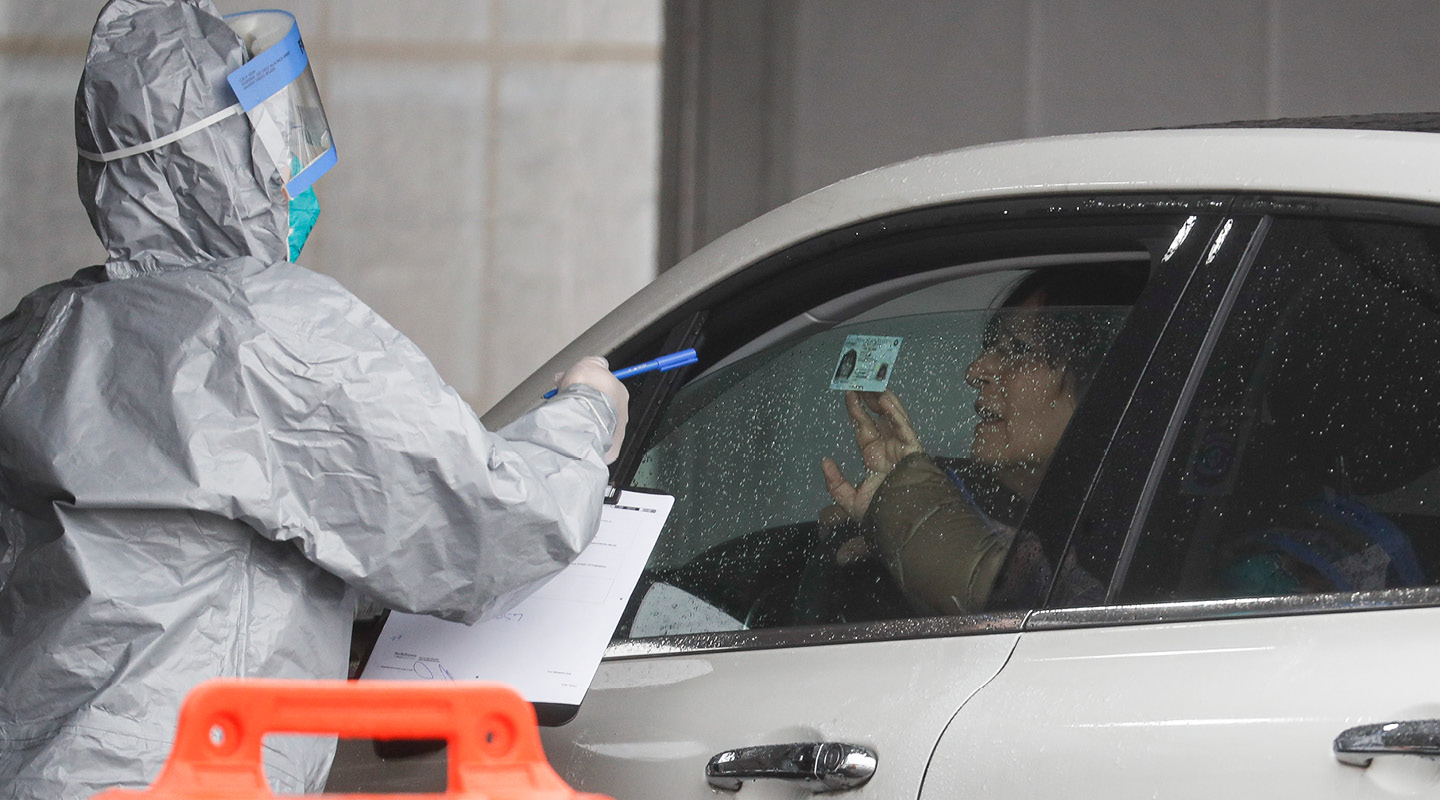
745, 571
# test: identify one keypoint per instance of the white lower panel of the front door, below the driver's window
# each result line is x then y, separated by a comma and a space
649, 726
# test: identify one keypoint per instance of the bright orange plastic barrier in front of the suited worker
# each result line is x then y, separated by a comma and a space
495, 745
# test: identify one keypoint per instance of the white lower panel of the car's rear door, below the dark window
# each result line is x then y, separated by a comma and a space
1219, 709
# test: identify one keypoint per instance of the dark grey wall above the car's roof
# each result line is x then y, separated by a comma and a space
783, 97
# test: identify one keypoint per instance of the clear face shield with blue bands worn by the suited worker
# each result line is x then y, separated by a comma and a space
277, 90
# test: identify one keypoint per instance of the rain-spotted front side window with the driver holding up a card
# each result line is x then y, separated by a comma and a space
966, 392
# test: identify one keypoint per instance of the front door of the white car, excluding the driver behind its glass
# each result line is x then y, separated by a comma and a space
745, 641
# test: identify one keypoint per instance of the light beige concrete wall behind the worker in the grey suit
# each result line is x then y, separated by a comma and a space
498, 179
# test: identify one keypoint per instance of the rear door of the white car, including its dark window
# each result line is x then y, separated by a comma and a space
1271, 612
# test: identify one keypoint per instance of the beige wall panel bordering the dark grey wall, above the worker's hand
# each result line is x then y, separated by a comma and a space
575, 206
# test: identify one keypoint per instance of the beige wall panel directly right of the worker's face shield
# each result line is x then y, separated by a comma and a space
402, 218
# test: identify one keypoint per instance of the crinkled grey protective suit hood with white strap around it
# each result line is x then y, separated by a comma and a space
153, 68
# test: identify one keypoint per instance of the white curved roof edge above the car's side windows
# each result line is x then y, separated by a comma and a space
1330, 156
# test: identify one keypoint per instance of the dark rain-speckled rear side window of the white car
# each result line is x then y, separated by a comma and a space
1308, 460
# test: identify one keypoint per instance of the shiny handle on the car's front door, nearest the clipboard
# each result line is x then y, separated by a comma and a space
820, 766
